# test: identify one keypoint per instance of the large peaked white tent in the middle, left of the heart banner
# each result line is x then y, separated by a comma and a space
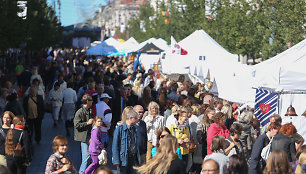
233, 79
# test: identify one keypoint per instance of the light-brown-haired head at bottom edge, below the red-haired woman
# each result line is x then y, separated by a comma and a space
277, 163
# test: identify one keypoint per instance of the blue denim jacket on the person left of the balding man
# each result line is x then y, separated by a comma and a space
120, 145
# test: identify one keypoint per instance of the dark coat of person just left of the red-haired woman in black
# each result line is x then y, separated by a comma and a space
261, 142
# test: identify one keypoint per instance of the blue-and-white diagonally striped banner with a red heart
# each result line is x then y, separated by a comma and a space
265, 105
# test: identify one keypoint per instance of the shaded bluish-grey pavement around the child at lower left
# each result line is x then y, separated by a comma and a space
43, 150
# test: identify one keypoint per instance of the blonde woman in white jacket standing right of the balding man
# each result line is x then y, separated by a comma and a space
153, 122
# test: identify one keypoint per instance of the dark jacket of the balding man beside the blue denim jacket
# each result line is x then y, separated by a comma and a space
142, 137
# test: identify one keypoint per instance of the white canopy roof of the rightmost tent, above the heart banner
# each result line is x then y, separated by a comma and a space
285, 71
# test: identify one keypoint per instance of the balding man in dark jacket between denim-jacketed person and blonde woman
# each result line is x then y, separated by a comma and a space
142, 137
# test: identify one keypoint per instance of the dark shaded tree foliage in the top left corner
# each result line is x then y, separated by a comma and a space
40, 29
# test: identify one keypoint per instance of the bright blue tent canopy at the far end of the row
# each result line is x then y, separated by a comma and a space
101, 49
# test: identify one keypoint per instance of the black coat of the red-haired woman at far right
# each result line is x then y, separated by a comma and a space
284, 143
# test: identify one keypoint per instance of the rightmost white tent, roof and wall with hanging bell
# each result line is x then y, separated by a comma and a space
286, 72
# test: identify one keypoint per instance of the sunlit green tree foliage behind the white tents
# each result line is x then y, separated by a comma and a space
256, 28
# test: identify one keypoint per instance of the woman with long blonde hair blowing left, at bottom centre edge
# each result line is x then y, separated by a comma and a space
166, 160
